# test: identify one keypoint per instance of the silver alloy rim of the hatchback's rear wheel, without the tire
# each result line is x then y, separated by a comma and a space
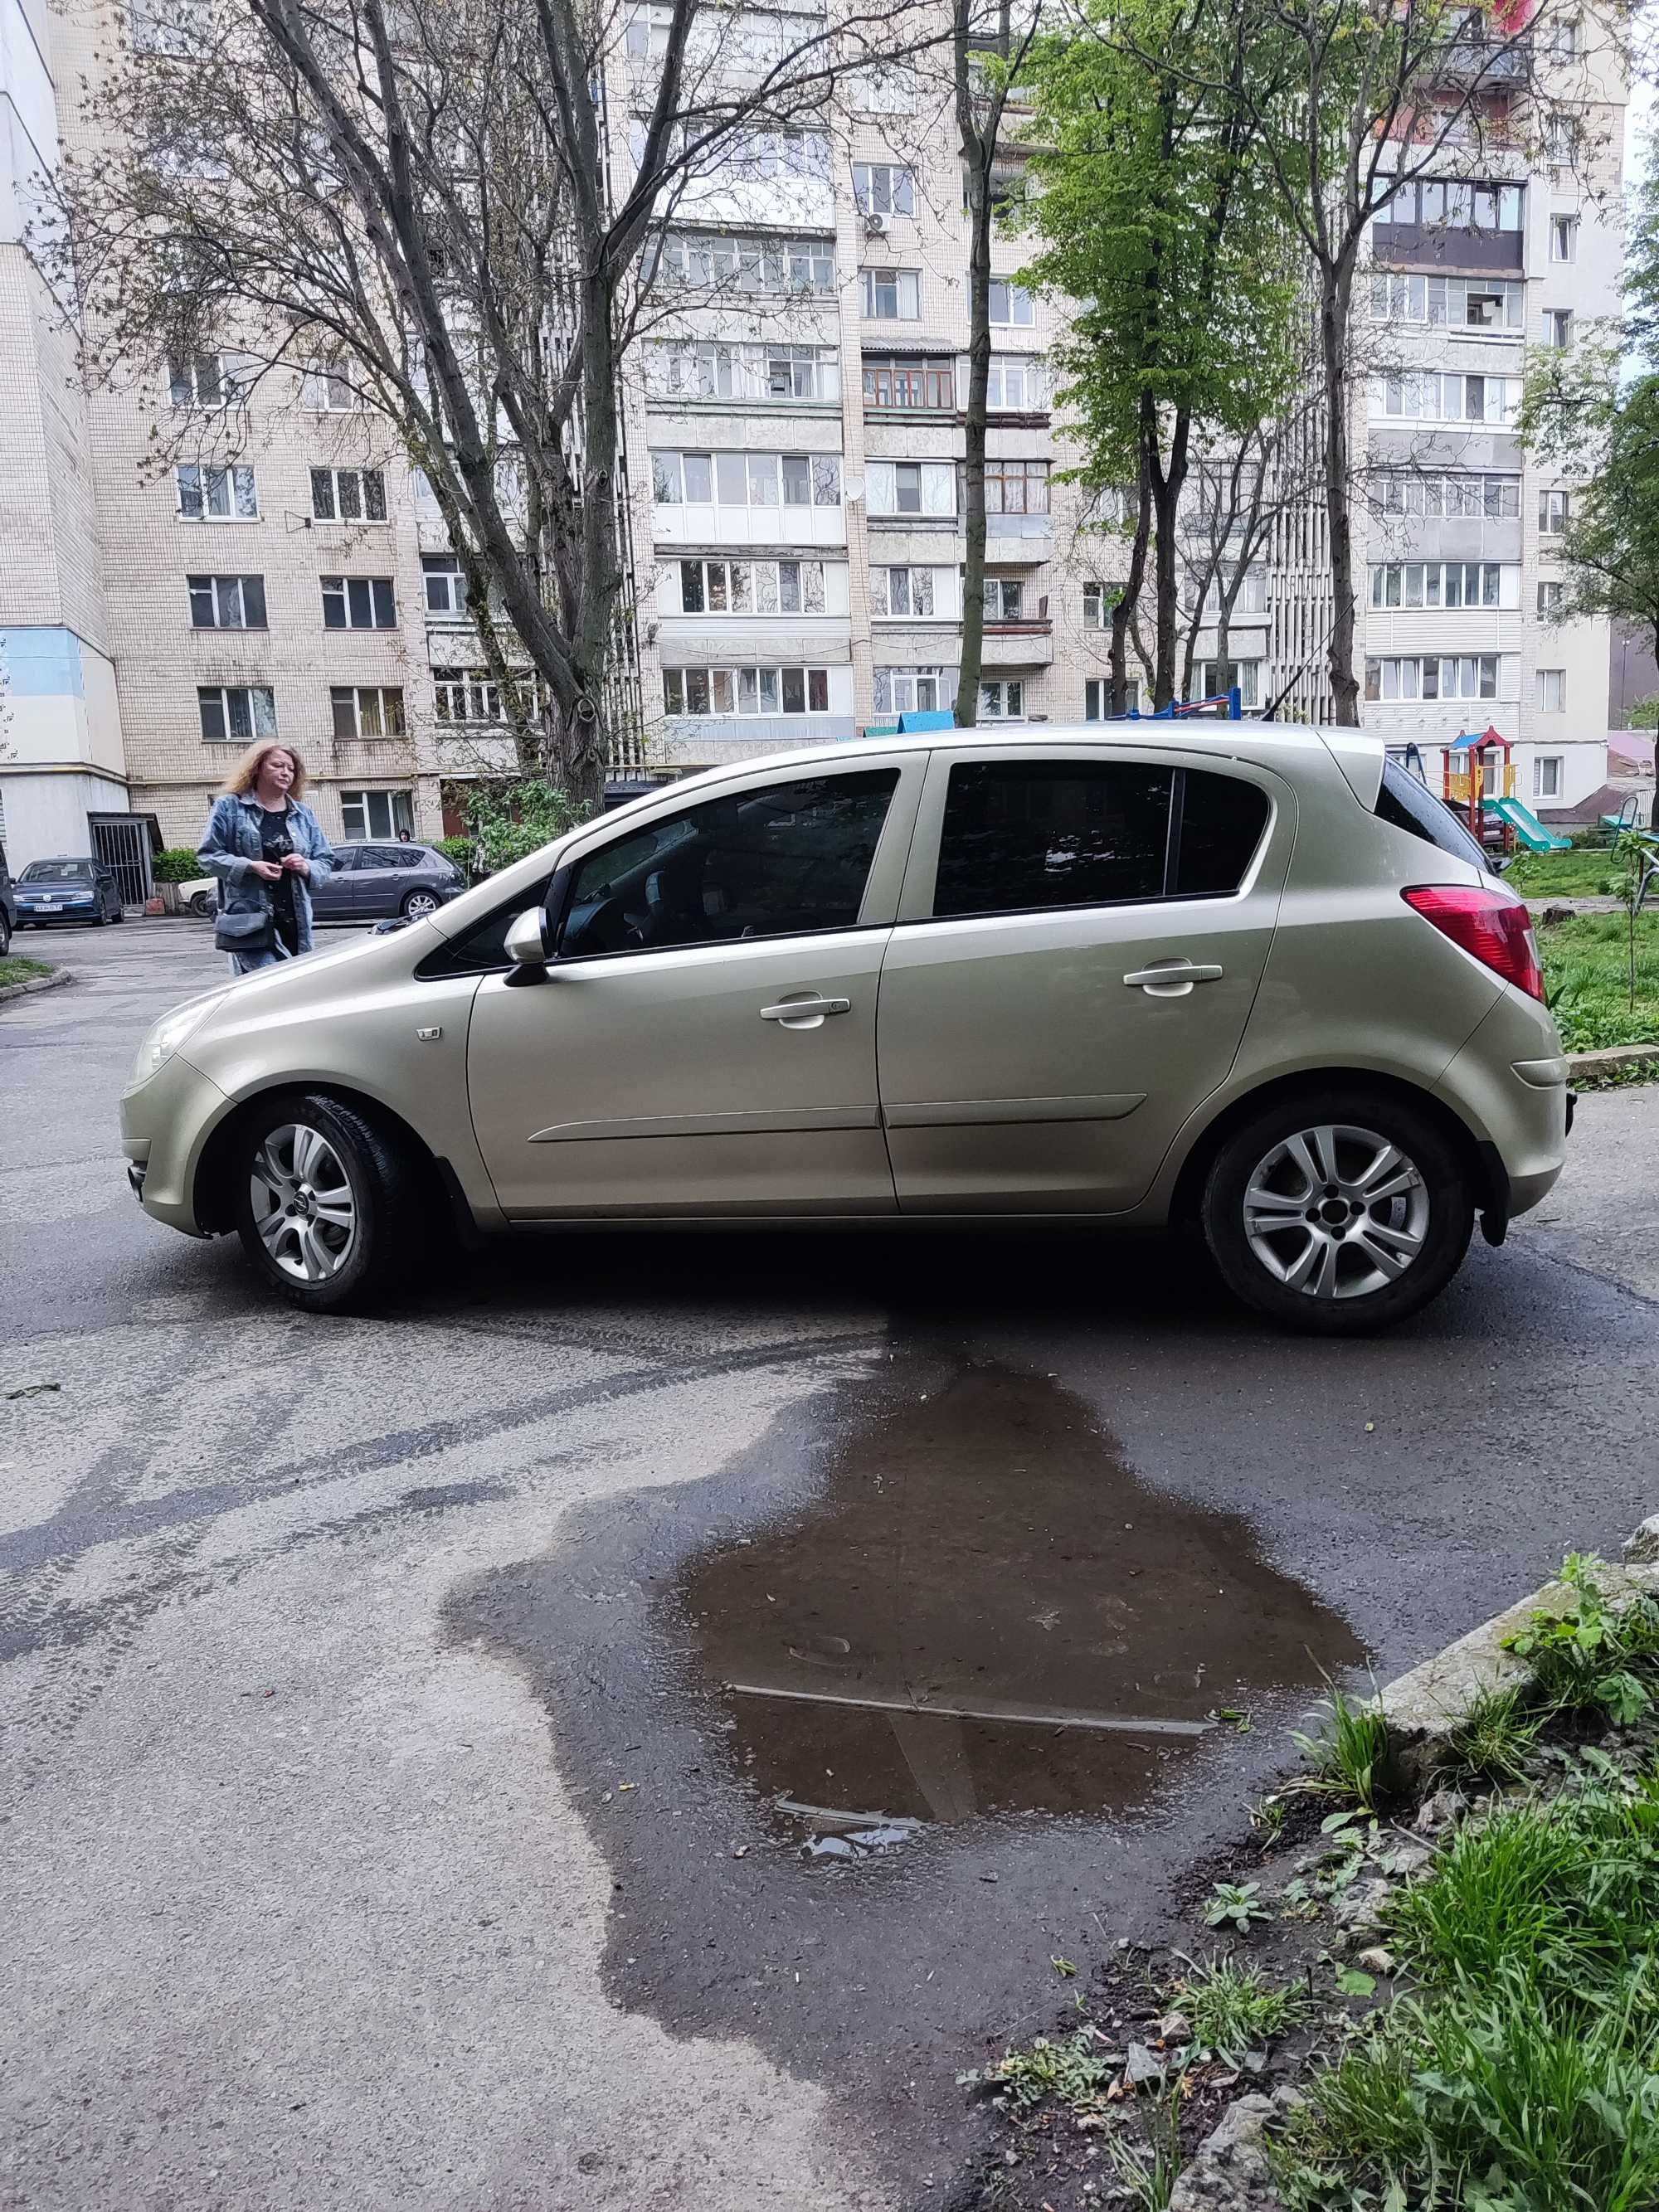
1337, 1211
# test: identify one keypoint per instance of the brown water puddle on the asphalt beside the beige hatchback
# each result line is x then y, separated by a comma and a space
988, 1614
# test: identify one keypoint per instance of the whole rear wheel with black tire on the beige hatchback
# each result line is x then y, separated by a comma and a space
1339, 1213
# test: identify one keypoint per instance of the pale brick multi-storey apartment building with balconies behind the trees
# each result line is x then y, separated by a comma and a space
795, 492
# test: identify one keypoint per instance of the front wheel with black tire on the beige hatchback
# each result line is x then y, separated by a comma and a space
295, 1154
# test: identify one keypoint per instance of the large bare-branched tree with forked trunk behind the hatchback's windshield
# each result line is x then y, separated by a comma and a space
428, 200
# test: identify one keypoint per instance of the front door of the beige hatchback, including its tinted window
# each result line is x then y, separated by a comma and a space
707, 1039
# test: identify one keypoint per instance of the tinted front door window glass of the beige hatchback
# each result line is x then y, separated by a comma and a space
782, 862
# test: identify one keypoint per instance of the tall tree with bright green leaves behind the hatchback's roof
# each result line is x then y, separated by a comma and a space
1158, 213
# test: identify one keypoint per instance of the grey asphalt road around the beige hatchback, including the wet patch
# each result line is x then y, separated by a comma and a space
377, 1822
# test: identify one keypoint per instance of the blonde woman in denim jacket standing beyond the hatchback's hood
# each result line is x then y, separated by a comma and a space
269, 851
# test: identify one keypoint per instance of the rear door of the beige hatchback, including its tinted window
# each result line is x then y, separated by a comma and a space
1081, 939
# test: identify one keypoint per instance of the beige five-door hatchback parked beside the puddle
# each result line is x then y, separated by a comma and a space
1240, 979
